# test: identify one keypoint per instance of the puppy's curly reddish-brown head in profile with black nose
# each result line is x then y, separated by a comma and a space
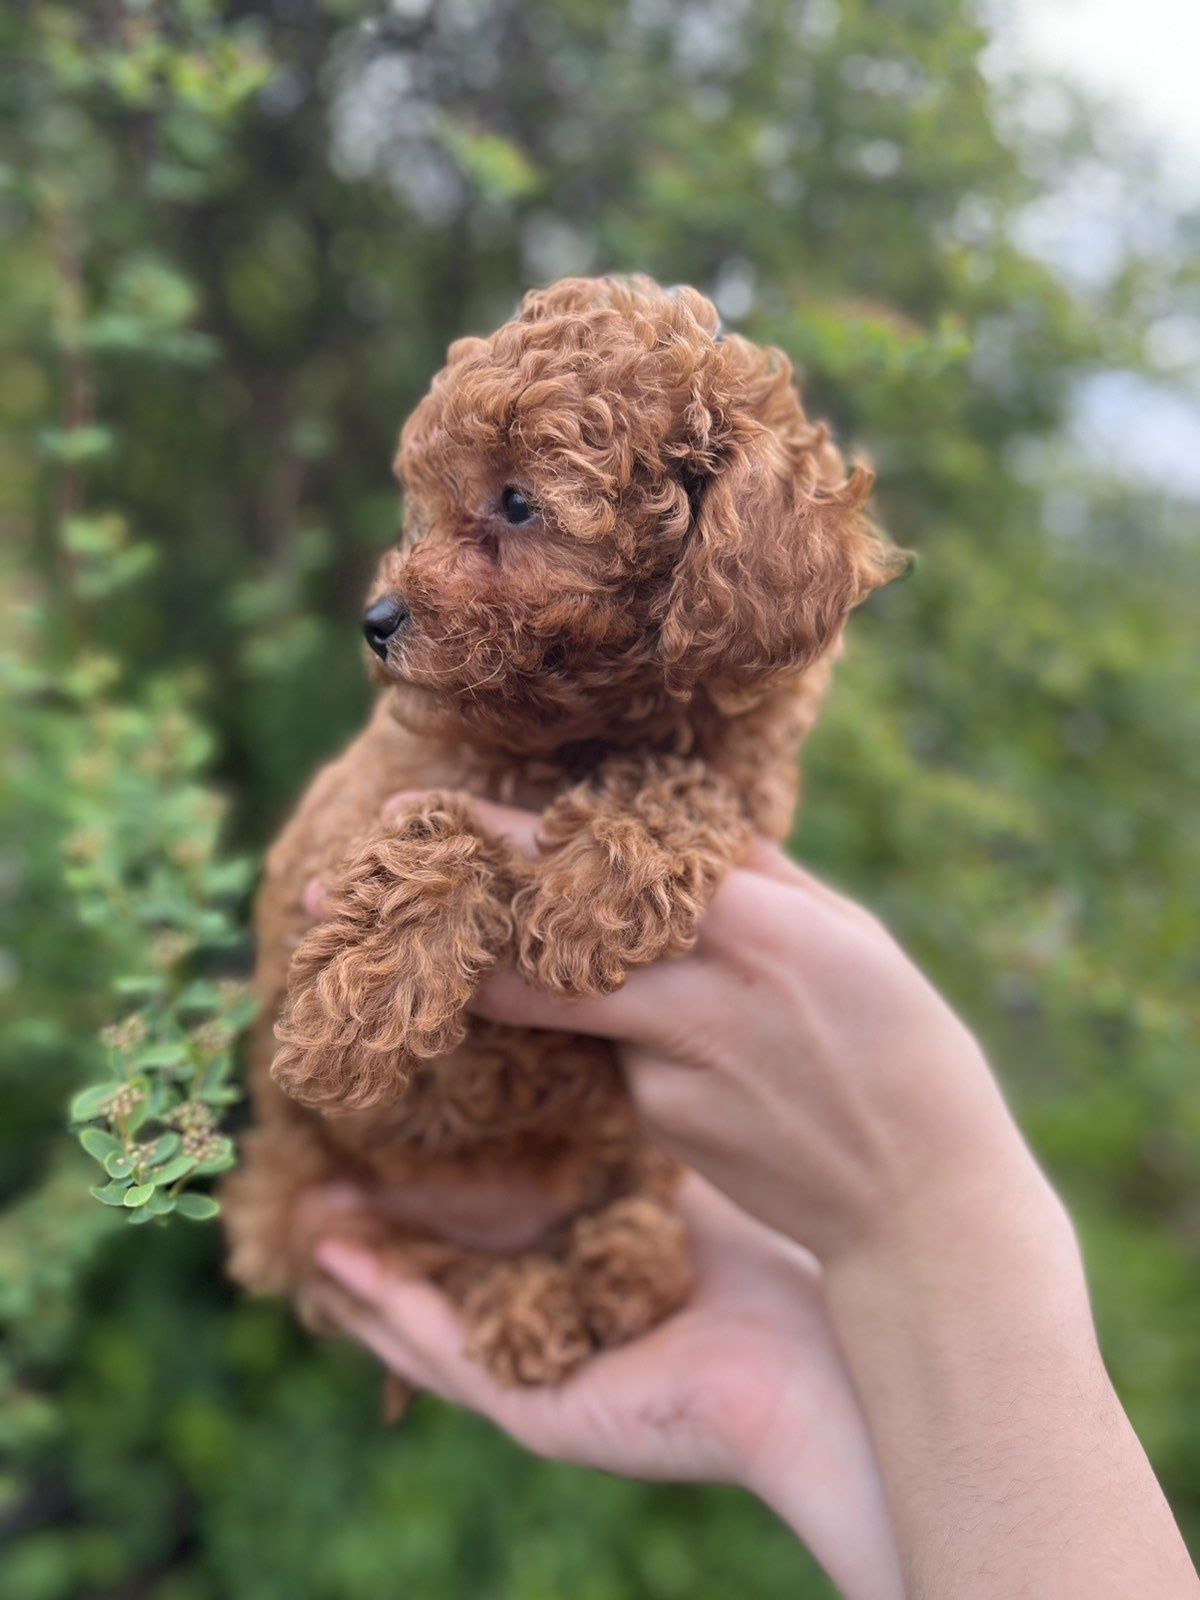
610, 511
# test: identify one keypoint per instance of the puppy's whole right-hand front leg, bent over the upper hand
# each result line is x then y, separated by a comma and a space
630, 865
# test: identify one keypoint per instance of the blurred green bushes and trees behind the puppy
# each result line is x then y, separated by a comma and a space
236, 242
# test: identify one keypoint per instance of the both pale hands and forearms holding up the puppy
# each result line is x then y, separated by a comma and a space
892, 1342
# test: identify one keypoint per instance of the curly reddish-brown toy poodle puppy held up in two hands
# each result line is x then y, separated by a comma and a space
626, 562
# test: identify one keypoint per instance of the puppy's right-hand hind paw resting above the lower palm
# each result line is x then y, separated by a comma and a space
631, 1268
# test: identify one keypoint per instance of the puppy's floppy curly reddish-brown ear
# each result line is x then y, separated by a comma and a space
780, 551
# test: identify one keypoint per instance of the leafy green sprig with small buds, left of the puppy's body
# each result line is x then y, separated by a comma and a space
143, 866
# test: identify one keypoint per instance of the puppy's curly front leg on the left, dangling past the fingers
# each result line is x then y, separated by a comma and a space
418, 914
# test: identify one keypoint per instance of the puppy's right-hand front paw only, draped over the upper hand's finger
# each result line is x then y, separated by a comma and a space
602, 905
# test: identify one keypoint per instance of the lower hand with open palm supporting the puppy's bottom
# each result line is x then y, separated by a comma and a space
745, 1386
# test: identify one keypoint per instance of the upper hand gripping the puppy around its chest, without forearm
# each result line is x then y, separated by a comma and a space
799, 1062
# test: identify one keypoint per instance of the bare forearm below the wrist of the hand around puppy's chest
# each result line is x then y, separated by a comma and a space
1009, 1463
